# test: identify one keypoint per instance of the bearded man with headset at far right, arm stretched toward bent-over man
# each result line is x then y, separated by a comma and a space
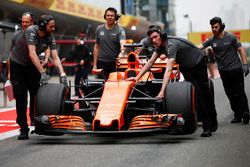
232, 67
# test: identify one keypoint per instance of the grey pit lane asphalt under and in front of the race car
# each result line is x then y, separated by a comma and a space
228, 147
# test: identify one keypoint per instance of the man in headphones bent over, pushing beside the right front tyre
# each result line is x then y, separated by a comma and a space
193, 68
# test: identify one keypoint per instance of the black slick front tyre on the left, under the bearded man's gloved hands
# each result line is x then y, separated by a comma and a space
50, 99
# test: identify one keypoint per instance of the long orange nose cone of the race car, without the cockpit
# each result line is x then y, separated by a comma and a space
112, 104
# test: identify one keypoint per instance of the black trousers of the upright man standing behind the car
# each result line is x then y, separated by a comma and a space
107, 67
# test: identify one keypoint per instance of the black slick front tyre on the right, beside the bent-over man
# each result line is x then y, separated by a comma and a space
180, 99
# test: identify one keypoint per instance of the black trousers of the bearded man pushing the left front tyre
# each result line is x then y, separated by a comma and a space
24, 79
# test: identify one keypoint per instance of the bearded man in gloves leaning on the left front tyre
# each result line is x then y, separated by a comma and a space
26, 71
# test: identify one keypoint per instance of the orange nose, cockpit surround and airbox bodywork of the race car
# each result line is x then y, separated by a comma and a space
115, 96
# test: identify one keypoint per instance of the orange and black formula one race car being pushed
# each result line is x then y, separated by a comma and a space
116, 105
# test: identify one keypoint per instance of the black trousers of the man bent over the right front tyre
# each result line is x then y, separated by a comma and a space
205, 102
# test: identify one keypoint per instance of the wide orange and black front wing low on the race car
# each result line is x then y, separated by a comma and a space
62, 124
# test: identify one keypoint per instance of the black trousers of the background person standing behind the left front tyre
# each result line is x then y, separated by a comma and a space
82, 72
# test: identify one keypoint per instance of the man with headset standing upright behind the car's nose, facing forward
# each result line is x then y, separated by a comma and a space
110, 38
